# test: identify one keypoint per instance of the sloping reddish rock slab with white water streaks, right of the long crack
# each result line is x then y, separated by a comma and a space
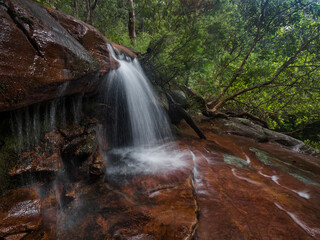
275, 198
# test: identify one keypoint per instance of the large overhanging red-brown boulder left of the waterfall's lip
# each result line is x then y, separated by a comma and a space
46, 54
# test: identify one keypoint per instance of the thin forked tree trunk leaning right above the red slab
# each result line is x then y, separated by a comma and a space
272, 16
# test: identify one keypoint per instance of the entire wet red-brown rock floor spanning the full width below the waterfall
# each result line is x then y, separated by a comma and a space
228, 187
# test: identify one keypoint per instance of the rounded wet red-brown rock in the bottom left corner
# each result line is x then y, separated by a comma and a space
20, 213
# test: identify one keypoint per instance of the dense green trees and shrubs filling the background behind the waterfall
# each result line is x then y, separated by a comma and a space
254, 57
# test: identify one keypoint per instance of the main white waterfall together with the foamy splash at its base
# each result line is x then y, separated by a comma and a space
137, 126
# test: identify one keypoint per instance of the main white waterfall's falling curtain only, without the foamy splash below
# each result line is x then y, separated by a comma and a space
138, 119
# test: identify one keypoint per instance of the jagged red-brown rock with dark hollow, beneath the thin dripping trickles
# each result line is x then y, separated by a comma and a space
60, 149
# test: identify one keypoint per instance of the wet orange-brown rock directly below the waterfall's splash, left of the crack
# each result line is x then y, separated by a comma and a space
133, 211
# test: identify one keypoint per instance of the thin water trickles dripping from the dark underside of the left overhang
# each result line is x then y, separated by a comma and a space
29, 124
